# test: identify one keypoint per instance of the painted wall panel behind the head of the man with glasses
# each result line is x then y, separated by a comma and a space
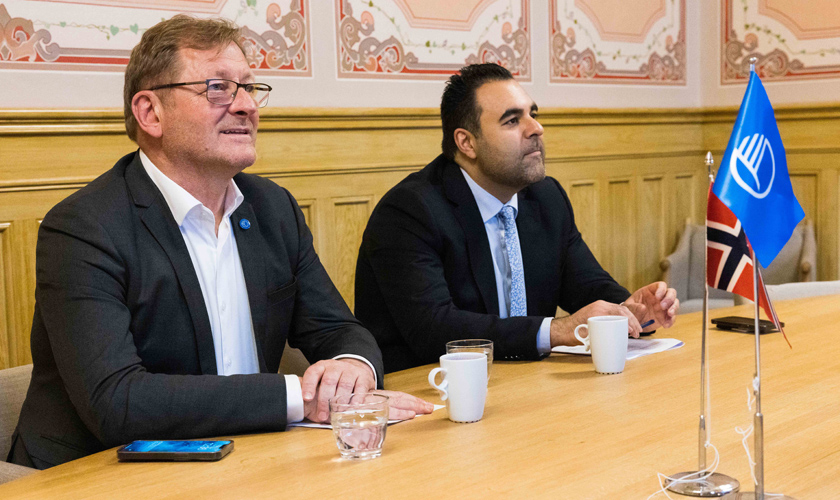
62, 35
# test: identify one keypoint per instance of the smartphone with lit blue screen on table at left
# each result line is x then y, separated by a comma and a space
175, 451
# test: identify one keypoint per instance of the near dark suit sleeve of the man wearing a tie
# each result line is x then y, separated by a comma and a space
405, 248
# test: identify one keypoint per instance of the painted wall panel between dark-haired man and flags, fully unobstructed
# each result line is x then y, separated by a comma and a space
598, 41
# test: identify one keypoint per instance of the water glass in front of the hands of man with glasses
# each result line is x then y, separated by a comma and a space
359, 422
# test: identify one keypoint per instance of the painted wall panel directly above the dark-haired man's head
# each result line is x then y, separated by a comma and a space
414, 39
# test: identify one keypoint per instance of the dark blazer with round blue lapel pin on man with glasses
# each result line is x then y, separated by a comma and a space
121, 340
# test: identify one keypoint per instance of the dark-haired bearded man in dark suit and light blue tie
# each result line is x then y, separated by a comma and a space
480, 244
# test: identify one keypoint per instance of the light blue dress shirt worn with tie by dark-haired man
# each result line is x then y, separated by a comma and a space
489, 207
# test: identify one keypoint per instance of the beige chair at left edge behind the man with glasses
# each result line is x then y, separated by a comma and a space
13, 385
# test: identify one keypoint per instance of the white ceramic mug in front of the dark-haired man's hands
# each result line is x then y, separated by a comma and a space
607, 341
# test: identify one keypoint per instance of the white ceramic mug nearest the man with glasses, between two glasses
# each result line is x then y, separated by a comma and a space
464, 385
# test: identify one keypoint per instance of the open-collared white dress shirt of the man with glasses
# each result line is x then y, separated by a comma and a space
219, 271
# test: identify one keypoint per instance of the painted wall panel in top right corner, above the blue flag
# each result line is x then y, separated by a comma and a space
792, 39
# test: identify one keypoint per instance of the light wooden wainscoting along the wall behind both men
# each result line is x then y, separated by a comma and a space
634, 177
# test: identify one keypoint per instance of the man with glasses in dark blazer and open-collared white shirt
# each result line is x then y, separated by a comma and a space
167, 288
